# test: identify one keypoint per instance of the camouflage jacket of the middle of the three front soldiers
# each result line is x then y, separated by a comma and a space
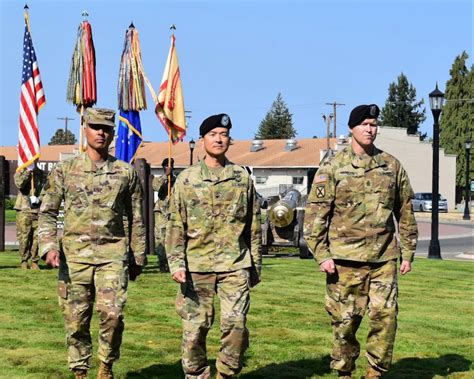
214, 225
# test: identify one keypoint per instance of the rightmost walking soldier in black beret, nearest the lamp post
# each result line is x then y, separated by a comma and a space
356, 199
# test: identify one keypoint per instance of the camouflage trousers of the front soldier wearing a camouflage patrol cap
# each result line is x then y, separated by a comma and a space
79, 286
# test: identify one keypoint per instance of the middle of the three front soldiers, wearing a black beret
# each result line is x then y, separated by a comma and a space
213, 242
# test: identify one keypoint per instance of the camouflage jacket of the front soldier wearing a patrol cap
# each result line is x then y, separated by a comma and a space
96, 201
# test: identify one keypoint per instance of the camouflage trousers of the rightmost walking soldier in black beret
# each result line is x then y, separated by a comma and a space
350, 291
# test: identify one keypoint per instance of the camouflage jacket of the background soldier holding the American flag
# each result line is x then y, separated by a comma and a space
23, 181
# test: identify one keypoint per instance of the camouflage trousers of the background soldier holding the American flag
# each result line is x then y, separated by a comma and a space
27, 235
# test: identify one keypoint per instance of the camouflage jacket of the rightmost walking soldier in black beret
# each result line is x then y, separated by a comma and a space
353, 206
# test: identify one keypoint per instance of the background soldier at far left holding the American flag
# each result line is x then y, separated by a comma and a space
29, 181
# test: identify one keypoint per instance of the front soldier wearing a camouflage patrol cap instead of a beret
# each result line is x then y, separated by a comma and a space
94, 261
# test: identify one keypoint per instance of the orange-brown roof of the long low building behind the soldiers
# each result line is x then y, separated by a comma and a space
273, 154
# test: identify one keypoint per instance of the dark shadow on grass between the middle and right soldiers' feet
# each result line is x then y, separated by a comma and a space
303, 368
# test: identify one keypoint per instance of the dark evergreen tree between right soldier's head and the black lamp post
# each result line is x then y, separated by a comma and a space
401, 109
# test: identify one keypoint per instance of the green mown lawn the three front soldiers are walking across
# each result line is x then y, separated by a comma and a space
289, 330
